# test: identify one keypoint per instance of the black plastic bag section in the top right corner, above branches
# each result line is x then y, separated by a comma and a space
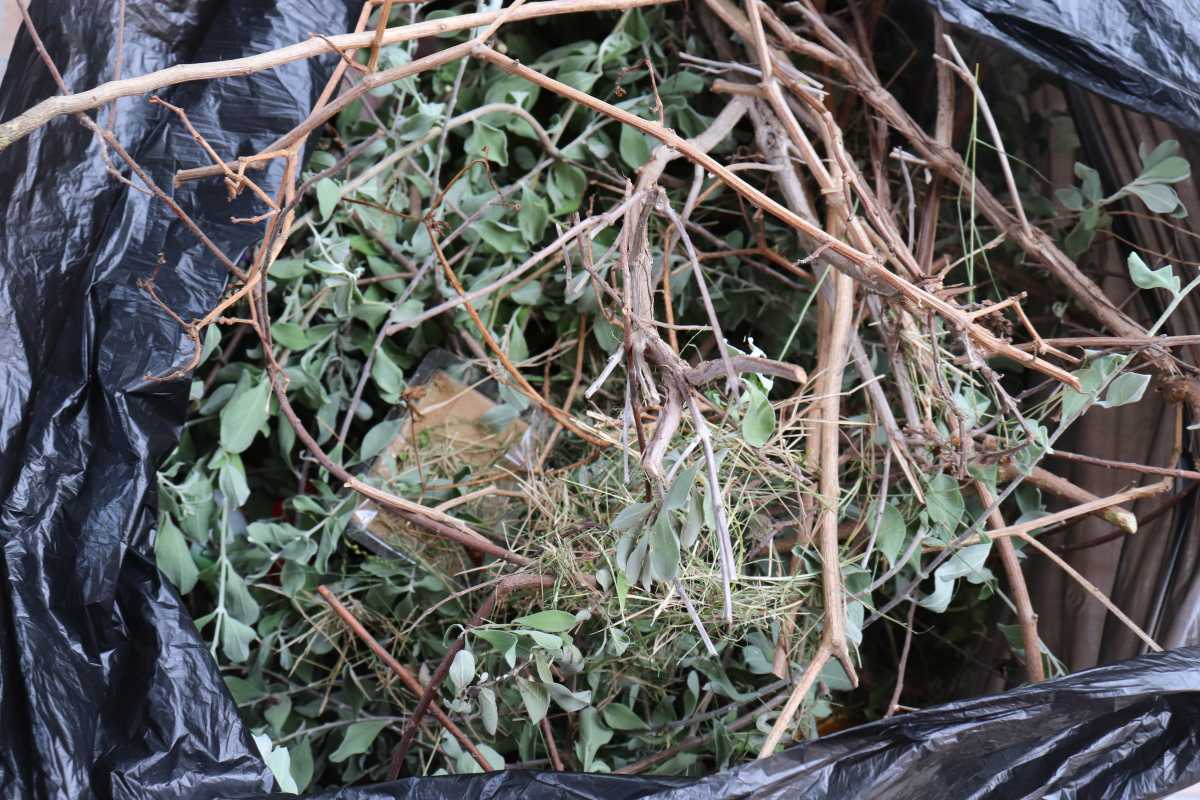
1139, 53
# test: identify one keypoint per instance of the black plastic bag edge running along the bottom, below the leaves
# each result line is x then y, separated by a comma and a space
1121, 732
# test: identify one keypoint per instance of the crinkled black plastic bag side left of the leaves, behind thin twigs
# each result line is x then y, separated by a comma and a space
106, 690
